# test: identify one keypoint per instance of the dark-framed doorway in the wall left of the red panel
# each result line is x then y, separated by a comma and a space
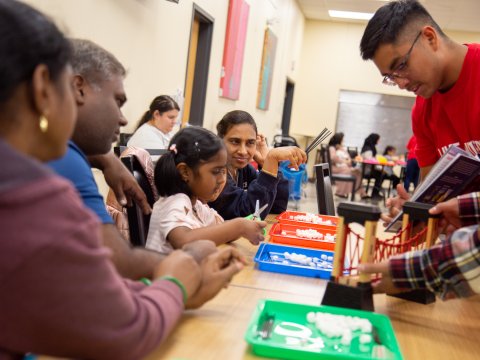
197, 67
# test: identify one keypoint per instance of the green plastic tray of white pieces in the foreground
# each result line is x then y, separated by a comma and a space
281, 346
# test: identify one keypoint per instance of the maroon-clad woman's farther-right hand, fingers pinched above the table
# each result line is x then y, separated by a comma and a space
217, 272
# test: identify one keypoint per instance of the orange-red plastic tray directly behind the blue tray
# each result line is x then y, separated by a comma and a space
291, 238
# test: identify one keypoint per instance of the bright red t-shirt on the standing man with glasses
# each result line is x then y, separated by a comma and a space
452, 117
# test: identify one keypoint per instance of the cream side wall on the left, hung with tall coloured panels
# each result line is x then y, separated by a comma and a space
151, 37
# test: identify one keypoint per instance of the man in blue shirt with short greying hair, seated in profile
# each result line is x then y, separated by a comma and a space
99, 93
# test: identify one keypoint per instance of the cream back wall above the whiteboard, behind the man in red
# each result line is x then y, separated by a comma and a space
331, 61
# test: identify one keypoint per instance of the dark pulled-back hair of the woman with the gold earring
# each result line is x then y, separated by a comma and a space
27, 39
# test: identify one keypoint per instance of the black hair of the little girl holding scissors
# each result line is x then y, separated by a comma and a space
191, 145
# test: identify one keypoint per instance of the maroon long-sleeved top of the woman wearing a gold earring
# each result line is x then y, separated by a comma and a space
61, 295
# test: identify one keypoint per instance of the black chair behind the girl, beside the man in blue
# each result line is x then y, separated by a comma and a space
138, 222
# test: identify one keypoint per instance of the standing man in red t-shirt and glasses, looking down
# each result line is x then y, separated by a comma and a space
412, 52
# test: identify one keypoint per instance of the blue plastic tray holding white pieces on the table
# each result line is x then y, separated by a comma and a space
270, 257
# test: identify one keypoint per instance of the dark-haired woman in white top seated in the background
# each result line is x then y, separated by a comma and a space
154, 130
